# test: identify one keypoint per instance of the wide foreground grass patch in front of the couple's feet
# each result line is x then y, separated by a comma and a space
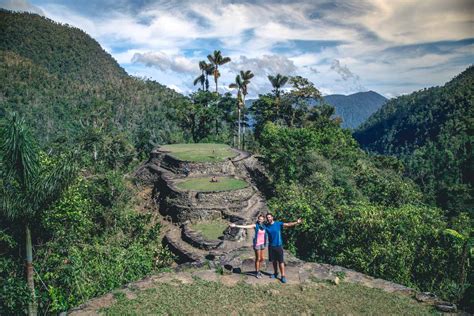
202, 297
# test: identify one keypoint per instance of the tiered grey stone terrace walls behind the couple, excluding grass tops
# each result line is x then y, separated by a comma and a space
182, 207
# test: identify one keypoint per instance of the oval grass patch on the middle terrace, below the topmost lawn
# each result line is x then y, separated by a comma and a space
204, 184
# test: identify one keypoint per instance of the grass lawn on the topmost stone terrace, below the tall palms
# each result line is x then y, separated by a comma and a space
200, 152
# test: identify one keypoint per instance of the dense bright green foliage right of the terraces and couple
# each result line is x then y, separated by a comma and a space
359, 211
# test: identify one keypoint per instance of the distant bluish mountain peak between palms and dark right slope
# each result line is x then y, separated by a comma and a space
355, 108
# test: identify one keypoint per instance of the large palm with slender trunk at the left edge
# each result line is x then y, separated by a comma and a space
27, 189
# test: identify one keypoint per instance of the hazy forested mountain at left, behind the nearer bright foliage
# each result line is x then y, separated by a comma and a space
67, 87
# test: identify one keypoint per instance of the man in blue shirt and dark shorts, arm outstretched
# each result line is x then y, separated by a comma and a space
275, 249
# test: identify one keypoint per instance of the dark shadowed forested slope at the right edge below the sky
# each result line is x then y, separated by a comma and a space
431, 130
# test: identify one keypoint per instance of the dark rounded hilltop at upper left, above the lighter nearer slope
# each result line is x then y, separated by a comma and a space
63, 50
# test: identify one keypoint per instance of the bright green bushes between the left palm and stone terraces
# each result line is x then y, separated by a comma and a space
96, 243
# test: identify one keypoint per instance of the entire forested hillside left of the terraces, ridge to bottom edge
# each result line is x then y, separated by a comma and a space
84, 123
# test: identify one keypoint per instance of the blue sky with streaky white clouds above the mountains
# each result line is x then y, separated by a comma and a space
393, 47
